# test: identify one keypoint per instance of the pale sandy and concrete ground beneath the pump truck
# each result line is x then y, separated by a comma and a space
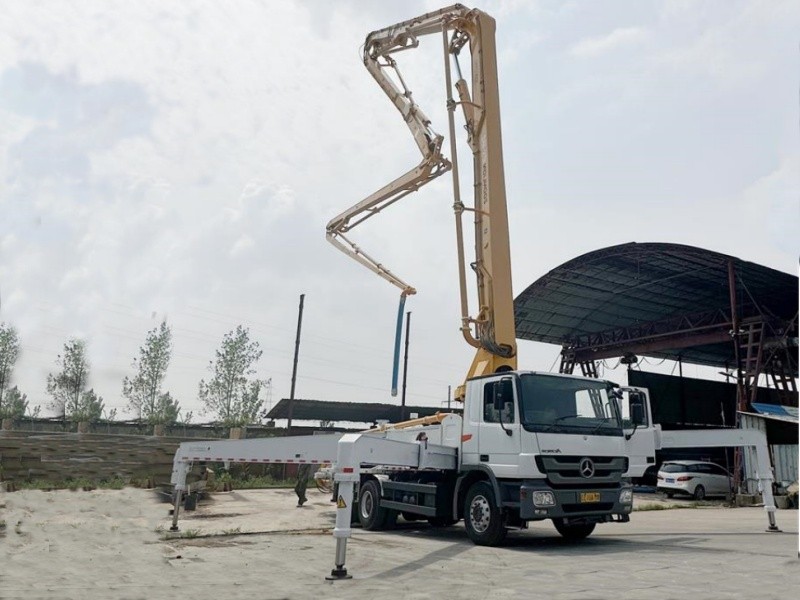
256, 544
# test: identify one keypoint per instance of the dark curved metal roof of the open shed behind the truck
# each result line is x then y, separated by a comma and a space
654, 299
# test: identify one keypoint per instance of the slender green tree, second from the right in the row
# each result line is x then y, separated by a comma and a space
143, 391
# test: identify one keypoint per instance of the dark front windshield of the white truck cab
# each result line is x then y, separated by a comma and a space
566, 405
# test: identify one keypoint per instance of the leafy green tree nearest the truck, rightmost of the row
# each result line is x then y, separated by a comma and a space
231, 394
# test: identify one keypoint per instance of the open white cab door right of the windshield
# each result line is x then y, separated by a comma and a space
637, 424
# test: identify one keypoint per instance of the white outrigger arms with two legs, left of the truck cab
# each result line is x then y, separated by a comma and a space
349, 452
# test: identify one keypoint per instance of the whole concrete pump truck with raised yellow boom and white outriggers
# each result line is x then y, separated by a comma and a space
527, 446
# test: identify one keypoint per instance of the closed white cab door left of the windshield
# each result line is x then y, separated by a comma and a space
499, 438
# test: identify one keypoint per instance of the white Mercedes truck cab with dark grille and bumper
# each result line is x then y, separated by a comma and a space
552, 446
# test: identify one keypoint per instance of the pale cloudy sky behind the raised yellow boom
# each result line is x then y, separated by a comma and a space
180, 160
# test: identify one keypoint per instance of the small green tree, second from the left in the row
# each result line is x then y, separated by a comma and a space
67, 387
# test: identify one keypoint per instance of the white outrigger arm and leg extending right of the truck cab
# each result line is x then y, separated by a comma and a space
729, 438
